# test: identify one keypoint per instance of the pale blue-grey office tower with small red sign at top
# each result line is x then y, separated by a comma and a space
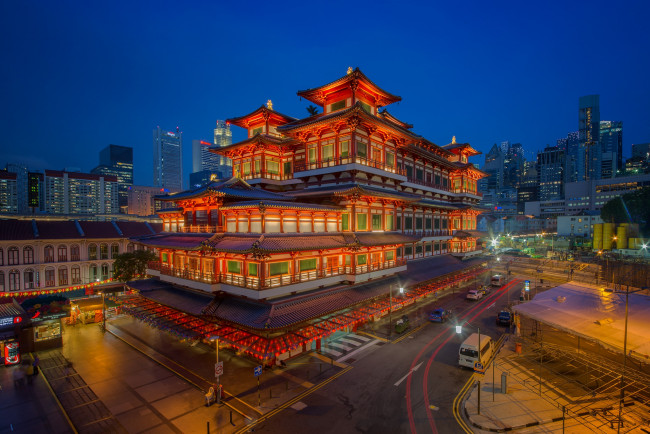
167, 159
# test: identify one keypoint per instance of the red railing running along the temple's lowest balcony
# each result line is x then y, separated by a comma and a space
272, 281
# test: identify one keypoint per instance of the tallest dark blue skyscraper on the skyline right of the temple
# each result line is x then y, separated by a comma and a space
589, 136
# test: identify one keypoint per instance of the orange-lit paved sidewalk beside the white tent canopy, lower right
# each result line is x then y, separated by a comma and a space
526, 407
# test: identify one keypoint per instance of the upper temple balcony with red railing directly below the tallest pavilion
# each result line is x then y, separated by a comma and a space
303, 168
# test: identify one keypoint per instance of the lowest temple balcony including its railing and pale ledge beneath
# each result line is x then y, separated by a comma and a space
273, 286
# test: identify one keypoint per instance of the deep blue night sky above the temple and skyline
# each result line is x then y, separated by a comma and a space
77, 76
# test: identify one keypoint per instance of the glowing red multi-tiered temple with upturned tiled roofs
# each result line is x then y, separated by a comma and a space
339, 198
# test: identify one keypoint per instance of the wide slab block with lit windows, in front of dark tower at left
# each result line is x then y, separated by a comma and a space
80, 193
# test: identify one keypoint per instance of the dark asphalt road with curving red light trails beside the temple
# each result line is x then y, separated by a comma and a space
380, 396
